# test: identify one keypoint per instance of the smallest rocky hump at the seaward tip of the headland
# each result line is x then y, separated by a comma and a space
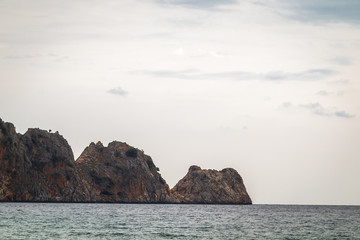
211, 186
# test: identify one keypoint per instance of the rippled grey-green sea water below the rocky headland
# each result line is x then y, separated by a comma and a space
151, 221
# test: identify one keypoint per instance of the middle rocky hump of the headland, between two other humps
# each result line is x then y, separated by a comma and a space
121, 173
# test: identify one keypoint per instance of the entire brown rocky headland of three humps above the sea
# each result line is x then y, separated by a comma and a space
39, 166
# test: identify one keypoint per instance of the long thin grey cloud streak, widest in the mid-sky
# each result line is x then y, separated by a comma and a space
308, 75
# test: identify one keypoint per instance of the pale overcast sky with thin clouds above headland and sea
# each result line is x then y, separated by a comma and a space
270, 88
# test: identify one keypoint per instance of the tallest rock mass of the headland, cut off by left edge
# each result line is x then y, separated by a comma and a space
38, 166
